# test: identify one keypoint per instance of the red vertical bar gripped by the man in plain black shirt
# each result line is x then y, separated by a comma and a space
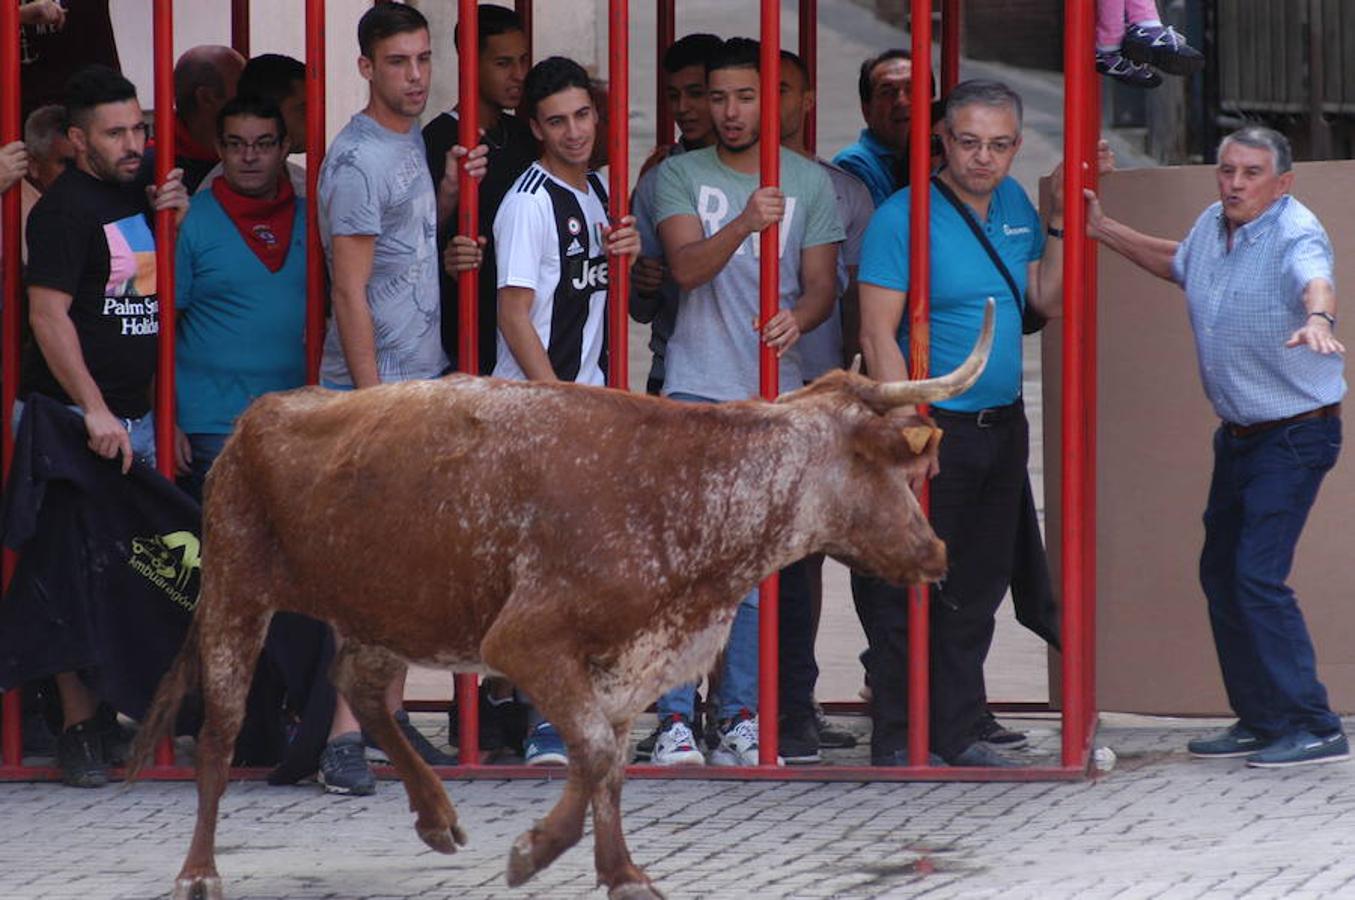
468, 291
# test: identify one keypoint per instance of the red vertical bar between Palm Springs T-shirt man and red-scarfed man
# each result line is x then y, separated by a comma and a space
163, 52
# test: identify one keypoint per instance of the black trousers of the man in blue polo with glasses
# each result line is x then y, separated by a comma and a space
976, 508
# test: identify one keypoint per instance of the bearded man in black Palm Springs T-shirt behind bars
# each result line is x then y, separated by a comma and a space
94, 310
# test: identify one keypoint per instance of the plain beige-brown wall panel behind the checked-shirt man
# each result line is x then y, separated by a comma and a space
1155, 651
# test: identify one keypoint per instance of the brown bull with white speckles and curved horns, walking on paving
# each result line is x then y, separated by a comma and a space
591, 546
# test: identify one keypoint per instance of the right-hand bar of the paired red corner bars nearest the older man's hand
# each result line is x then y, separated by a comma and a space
1094, 120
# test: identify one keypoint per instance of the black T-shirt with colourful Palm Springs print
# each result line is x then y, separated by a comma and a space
94, 241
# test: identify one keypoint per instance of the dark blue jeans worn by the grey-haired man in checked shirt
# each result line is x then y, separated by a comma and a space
1259, 498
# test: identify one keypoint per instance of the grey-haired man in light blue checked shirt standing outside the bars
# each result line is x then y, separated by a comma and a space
1258, 276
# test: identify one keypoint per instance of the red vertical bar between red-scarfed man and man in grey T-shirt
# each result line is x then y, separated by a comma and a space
315, 157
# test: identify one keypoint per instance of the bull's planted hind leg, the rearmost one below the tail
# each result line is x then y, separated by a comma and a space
230, 645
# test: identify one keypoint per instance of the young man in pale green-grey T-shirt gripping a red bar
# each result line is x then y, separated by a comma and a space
711, 211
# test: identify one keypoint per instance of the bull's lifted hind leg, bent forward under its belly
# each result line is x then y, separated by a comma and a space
361, 674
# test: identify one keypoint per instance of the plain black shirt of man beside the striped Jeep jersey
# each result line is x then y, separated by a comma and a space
512, 150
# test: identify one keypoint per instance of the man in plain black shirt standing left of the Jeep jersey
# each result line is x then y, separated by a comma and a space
503, 67
